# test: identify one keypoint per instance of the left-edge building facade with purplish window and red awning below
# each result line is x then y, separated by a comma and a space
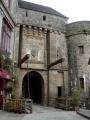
6, 43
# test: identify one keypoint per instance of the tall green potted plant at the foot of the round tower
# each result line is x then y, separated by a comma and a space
76, 98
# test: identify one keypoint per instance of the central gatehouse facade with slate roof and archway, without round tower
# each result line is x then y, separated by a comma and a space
40, 32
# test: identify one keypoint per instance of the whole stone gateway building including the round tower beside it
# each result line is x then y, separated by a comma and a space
58, 53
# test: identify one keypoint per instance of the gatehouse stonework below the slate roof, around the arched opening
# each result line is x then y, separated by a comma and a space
35, 39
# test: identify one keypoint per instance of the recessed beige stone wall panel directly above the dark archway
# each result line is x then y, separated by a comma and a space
34, 42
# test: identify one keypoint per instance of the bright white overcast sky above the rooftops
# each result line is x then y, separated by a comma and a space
75, 10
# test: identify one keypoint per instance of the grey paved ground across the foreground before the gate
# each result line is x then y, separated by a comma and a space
42, 113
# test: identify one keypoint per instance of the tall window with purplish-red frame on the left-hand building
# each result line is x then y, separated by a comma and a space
6, 36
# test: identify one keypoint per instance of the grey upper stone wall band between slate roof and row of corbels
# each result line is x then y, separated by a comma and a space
36, 19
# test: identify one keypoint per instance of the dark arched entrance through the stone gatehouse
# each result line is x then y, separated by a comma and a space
33, 86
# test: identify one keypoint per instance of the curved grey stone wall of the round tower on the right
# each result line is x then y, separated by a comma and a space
78, 34
